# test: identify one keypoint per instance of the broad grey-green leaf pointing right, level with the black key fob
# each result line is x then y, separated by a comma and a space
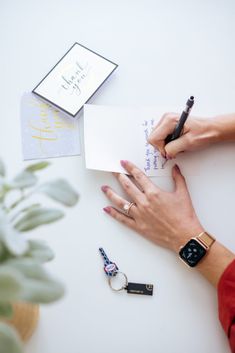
38, 285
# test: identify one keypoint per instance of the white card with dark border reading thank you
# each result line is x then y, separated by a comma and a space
74, 79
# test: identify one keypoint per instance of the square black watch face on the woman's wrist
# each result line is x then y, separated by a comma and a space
192, 252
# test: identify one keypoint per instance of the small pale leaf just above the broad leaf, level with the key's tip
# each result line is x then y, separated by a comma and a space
39, 251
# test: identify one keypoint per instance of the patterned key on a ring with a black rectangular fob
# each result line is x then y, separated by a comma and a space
111, 270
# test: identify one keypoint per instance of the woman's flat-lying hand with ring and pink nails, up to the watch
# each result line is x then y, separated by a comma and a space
166, 218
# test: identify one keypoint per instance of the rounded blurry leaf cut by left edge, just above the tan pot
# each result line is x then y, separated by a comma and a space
10, 284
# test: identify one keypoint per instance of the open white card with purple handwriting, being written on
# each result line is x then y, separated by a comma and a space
113, 133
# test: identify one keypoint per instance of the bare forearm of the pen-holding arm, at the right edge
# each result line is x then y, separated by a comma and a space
223, 128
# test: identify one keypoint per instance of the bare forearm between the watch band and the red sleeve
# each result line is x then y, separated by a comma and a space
215, 262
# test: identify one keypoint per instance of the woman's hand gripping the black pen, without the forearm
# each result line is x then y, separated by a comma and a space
197, 133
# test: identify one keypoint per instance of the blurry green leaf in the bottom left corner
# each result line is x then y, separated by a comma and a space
9, 340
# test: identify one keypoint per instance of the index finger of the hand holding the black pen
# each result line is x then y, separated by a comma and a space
165, 127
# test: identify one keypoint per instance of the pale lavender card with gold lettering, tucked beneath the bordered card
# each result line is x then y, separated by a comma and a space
46, 132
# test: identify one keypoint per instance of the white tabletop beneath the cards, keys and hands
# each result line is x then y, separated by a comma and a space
167, 50
